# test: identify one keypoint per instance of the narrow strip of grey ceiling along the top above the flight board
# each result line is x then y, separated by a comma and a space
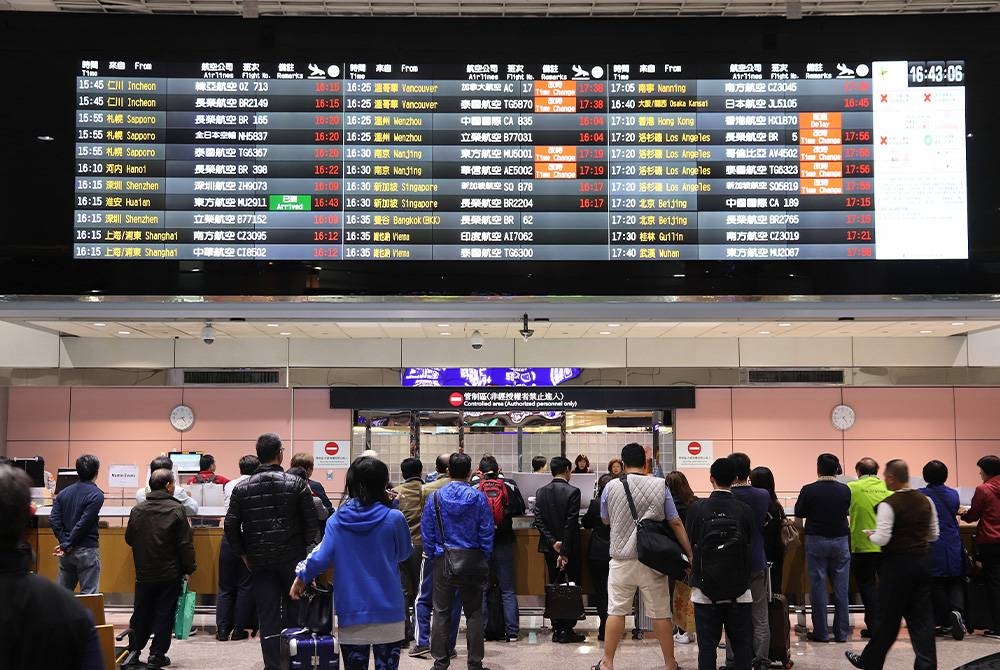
258, 8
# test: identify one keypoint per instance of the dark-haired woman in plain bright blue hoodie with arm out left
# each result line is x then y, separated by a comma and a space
365, 541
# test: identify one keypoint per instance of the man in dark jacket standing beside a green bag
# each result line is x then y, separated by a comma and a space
163, 552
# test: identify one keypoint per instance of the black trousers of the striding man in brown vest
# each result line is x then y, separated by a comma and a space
904, 591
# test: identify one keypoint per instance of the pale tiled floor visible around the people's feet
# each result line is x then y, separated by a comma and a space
535, 652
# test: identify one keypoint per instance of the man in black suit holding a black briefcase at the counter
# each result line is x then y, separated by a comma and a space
557, 518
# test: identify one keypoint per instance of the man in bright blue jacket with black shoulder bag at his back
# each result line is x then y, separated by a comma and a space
467, 523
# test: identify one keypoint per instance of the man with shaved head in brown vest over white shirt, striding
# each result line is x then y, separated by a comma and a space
905, 525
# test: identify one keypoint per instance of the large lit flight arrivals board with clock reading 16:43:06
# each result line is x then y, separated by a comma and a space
500, 161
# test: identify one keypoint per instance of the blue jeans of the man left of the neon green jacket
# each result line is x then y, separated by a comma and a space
829, 557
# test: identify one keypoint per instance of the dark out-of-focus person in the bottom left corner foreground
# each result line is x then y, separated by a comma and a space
42, 625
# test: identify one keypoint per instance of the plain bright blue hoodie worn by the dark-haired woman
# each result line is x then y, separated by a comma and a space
365, 545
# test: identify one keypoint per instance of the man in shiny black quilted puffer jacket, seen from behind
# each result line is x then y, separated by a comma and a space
272, 525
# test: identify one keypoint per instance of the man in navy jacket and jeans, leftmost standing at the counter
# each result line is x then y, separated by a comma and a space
74, 523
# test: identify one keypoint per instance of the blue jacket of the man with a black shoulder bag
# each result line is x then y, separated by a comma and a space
466, 517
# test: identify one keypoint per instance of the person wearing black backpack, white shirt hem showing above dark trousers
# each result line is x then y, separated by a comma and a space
720, 527
